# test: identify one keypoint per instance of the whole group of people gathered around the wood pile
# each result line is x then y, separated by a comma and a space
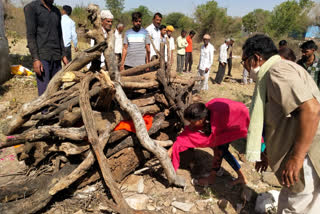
285, 106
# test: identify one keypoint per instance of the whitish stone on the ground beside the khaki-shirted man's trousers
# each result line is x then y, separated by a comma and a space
267, 201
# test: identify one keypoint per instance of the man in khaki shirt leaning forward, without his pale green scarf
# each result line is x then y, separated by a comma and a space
291, 123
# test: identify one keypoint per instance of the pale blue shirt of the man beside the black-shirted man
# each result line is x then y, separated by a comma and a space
68, 31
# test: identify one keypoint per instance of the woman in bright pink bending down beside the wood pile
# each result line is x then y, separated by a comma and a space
215, 125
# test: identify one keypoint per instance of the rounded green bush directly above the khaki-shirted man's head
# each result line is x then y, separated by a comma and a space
256, 21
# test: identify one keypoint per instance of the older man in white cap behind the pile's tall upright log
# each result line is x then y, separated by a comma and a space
106, 25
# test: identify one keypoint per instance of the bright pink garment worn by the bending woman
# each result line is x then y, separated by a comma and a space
229, 122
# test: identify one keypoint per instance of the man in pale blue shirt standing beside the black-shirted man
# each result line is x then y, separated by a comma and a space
68, 31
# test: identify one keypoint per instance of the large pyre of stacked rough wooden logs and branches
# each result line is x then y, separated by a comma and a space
71, 126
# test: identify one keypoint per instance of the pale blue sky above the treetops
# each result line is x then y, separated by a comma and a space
234, 7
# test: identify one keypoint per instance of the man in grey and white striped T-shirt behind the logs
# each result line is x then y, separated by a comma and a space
136, 45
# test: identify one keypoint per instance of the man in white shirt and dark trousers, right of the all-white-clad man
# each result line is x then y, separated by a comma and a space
223, 60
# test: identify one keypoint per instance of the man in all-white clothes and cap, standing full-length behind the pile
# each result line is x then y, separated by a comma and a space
206, 61
